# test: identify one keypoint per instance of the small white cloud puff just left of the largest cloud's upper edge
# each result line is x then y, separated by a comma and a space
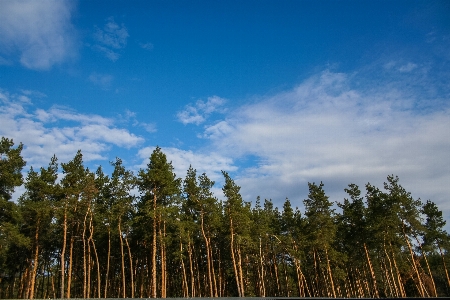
198, 113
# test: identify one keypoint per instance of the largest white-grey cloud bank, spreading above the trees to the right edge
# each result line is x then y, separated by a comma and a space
326, 130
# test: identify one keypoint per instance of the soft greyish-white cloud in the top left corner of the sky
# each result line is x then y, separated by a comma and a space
41, 31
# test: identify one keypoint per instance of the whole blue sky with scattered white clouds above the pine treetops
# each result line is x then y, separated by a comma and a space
276, 93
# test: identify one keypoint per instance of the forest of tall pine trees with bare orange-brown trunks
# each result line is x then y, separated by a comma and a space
77, 233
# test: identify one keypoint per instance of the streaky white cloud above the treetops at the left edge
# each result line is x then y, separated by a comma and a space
59, 131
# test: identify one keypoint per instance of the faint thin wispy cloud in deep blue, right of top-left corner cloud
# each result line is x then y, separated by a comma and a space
111, 39
